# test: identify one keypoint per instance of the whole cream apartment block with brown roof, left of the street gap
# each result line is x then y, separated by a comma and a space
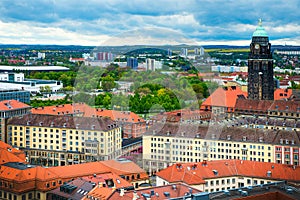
50, 140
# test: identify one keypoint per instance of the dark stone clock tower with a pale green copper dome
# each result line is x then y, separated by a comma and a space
260, 66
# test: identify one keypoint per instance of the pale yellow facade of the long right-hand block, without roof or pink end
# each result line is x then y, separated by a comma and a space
162, 151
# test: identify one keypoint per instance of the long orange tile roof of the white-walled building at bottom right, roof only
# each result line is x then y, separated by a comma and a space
197, 173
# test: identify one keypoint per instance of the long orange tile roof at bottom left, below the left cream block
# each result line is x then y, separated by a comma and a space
37, 178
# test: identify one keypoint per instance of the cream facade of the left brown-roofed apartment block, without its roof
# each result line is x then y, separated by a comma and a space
57, 141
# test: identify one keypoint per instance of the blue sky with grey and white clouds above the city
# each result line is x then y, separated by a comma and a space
119, 22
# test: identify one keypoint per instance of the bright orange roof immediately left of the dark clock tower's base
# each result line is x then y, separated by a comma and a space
224, 97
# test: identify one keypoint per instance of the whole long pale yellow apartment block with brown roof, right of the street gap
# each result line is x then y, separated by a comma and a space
169, 143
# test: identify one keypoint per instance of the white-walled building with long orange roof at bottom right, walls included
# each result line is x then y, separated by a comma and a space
221, 175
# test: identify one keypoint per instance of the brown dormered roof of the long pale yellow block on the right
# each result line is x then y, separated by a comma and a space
221, 132
